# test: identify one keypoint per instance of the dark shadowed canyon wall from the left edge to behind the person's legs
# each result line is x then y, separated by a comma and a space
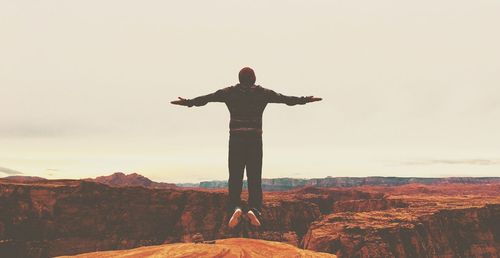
70, 217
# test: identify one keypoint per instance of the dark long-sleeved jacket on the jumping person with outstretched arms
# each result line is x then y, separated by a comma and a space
246, 105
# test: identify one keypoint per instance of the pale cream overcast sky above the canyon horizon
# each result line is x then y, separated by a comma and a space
410, 88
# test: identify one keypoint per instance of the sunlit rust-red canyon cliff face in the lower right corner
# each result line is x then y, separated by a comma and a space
470, 232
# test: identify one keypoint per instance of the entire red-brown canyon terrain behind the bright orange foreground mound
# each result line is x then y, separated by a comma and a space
67, 217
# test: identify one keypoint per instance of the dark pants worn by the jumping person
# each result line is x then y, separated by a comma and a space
245, 150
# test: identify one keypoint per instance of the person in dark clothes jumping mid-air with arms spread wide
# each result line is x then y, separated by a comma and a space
246, 103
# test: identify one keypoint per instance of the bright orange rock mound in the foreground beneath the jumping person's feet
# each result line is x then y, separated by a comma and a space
232, 247
